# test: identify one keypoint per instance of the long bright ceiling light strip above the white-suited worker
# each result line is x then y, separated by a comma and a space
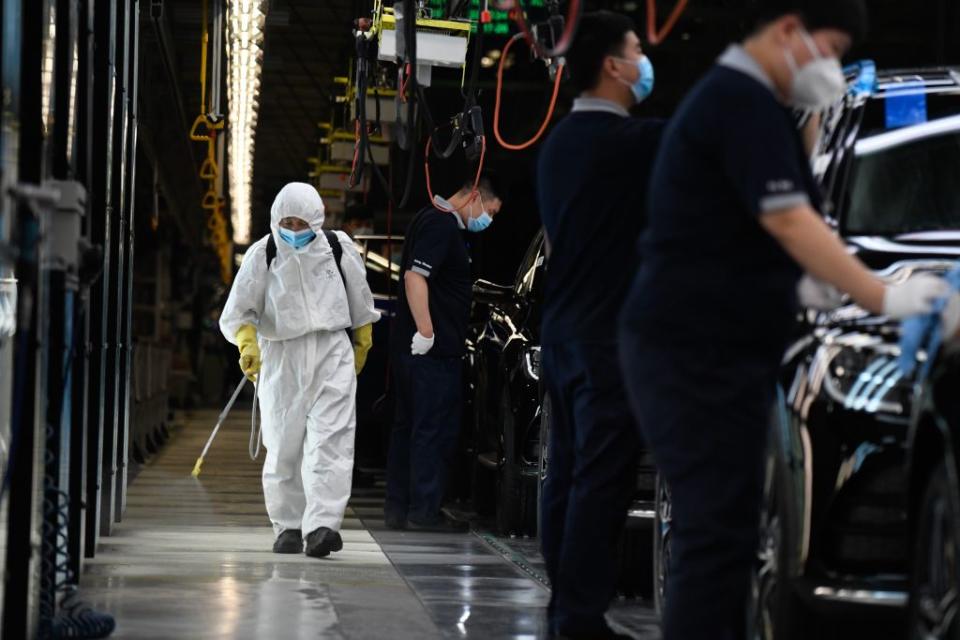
244, 63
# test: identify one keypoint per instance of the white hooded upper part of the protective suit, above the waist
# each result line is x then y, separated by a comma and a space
302, 292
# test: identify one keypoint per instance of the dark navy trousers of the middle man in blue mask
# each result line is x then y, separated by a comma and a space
591, 478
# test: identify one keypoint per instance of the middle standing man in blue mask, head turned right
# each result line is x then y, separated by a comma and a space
592, 179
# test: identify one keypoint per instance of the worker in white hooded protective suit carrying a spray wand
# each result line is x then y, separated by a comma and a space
290, 307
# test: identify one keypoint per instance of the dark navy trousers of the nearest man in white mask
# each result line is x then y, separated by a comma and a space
704, 410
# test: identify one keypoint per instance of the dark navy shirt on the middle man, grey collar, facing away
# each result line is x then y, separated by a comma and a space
592, 183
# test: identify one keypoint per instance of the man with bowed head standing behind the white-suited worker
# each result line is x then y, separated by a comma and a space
428, 342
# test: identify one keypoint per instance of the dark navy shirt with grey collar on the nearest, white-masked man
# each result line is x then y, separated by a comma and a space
710, 271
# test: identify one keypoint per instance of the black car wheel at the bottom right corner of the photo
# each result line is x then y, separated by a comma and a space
935, 596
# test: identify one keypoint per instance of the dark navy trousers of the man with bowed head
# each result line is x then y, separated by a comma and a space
425, 430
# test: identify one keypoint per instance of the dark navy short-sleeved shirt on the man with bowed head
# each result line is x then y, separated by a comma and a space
434, 247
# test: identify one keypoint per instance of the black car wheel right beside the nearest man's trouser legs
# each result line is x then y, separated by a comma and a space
775, 611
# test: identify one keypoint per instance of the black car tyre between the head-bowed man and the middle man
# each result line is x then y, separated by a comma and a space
516, 495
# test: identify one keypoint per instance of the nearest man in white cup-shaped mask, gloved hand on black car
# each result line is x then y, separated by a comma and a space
733, 224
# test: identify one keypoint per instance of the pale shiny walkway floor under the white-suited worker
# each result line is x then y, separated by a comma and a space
192, 558
